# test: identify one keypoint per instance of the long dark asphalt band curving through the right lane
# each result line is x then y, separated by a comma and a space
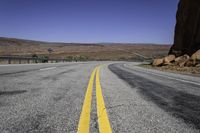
178, 103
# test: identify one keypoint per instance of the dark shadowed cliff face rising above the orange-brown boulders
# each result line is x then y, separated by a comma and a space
187, 31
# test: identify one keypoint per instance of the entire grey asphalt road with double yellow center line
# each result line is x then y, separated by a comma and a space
55, 98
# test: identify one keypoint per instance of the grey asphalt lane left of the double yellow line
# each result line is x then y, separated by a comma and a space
43, 100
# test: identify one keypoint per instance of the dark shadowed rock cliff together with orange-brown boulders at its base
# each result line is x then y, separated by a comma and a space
186, 49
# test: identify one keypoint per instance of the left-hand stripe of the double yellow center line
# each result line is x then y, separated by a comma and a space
84, 122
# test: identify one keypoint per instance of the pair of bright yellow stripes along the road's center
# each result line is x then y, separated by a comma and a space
103, 121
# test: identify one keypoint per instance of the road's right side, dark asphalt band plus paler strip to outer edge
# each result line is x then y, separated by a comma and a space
179, 96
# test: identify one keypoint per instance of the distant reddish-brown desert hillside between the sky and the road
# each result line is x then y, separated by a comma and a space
97, 51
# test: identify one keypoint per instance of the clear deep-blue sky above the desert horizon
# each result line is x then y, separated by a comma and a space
142, 21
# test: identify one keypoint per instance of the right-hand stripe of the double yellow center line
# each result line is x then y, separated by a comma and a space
103, 121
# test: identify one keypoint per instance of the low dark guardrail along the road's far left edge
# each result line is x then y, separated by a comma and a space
9, 59
